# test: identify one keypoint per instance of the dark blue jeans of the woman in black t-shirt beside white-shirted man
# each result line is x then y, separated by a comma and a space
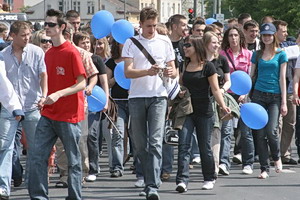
204, 128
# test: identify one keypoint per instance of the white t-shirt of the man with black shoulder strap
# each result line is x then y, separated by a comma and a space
160, 48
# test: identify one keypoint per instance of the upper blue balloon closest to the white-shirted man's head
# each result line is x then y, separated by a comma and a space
122, 30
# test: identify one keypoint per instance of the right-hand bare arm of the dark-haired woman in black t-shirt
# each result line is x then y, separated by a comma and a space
213, 82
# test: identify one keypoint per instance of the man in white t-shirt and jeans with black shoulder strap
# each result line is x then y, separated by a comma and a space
148, 96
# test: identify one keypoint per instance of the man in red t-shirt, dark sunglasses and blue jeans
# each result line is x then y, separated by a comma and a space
62, 112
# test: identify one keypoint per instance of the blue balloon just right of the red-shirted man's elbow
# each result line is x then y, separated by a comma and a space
97, 100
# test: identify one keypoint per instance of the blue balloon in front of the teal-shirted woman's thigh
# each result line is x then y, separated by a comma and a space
254, 115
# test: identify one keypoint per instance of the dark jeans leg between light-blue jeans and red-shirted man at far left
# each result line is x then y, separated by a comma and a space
17, 169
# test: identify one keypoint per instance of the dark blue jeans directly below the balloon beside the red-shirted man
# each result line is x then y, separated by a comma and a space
94, 129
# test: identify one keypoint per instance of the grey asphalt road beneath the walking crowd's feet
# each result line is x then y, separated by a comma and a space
236, 186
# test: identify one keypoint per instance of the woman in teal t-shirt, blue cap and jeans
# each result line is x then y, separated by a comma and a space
269, 66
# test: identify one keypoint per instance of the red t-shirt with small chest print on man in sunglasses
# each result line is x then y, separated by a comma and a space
64, 65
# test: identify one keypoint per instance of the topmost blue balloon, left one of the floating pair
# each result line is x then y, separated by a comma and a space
101, 24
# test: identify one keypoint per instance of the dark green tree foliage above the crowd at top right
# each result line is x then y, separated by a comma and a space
286, 10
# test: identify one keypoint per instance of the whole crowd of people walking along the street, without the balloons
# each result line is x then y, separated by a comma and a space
46, 76
